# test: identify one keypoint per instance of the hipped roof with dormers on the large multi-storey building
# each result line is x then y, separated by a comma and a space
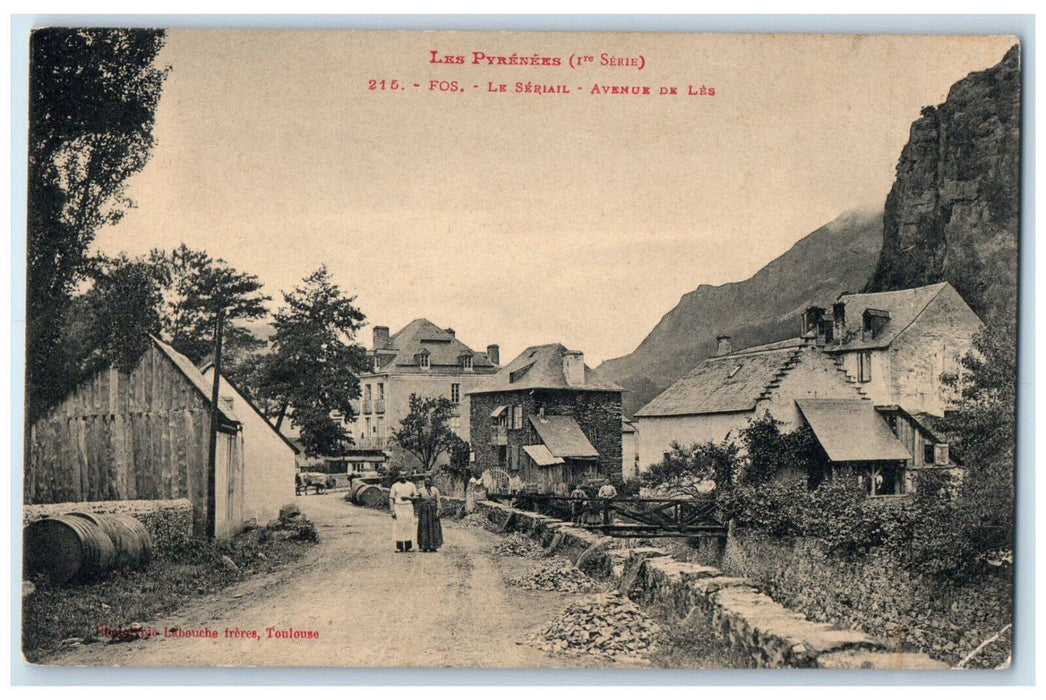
444, 350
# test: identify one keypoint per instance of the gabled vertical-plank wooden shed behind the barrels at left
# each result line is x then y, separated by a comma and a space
140, 436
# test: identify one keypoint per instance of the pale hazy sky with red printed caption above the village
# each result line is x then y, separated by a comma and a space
524, 218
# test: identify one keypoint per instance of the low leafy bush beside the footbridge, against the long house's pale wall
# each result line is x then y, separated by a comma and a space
688, 470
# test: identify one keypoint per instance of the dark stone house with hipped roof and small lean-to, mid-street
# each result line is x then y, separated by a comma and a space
550, 420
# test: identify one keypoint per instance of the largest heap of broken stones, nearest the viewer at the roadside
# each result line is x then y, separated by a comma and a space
606, 625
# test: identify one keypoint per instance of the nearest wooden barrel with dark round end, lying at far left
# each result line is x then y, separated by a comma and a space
66, 548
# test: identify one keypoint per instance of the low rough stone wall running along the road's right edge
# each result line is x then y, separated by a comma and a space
736, 607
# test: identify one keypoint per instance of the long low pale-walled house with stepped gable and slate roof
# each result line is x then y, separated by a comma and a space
720, 397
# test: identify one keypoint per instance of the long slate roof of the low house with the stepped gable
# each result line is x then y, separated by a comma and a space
727, 383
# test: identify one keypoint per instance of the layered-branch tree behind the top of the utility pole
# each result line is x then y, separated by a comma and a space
197, 287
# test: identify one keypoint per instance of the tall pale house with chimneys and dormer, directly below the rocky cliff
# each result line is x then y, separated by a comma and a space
897, 345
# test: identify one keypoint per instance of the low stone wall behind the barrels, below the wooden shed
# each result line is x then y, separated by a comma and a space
169, 523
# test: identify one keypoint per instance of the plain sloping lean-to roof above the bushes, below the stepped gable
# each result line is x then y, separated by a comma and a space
852, 431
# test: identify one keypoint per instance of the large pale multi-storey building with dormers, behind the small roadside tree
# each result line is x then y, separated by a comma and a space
424, 359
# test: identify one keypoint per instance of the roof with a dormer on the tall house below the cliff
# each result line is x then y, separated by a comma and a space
904, 306
